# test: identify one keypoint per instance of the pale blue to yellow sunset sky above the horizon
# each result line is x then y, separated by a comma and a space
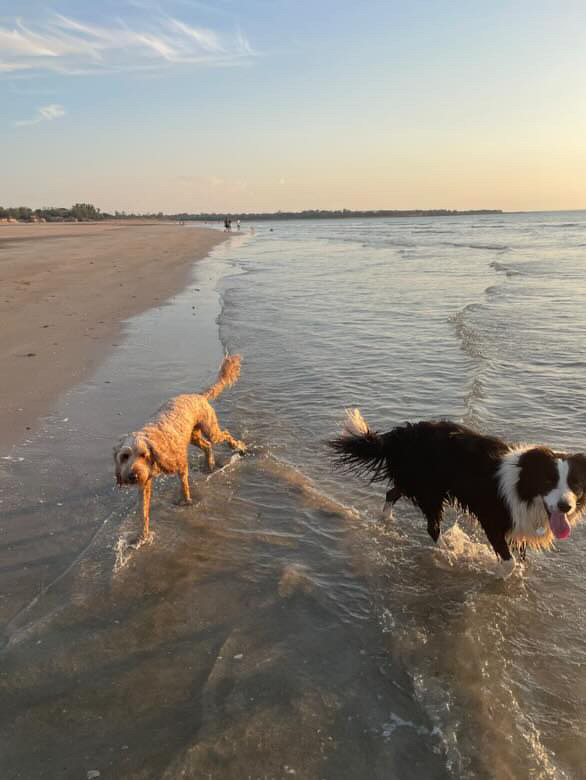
266, 105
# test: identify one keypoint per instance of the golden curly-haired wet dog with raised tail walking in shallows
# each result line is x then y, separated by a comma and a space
161, 446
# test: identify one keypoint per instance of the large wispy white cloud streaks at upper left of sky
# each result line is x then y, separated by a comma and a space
63, 44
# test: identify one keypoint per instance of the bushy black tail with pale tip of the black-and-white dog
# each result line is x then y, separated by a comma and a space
359, 449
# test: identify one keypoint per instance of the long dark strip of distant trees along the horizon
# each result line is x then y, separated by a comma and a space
84, 212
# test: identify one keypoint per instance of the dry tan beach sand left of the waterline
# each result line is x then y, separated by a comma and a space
64, 291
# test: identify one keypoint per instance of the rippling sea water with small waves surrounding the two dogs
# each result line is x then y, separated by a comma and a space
276, 627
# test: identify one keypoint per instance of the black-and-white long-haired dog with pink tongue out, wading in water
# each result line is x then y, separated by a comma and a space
522, 495
